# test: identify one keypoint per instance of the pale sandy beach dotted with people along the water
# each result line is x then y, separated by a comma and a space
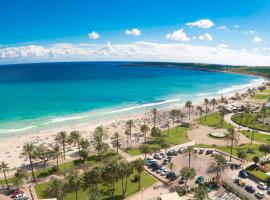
10, 148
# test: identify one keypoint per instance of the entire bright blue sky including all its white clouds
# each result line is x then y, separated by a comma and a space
223, 32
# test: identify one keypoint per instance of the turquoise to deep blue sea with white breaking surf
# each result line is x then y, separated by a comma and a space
37, 96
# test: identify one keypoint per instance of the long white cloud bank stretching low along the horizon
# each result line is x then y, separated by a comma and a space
140, 51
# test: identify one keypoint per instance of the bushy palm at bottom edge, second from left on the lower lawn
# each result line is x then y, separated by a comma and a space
74, 183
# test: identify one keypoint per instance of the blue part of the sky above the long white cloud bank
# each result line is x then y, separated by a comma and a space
240, 25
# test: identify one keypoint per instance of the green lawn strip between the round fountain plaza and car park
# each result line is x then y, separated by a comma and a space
245, 147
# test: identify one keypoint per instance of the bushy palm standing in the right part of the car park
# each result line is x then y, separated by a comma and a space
217, 165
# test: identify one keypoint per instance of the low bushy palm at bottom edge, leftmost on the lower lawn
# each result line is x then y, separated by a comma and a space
56, 188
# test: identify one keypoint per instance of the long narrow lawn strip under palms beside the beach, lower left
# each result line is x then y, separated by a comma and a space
92, 160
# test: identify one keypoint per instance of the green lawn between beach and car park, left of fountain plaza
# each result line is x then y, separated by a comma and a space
173, 138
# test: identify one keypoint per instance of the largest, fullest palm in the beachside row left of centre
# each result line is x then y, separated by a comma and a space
99, 135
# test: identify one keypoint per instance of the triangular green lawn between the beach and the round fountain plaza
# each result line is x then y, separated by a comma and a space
213, 120
